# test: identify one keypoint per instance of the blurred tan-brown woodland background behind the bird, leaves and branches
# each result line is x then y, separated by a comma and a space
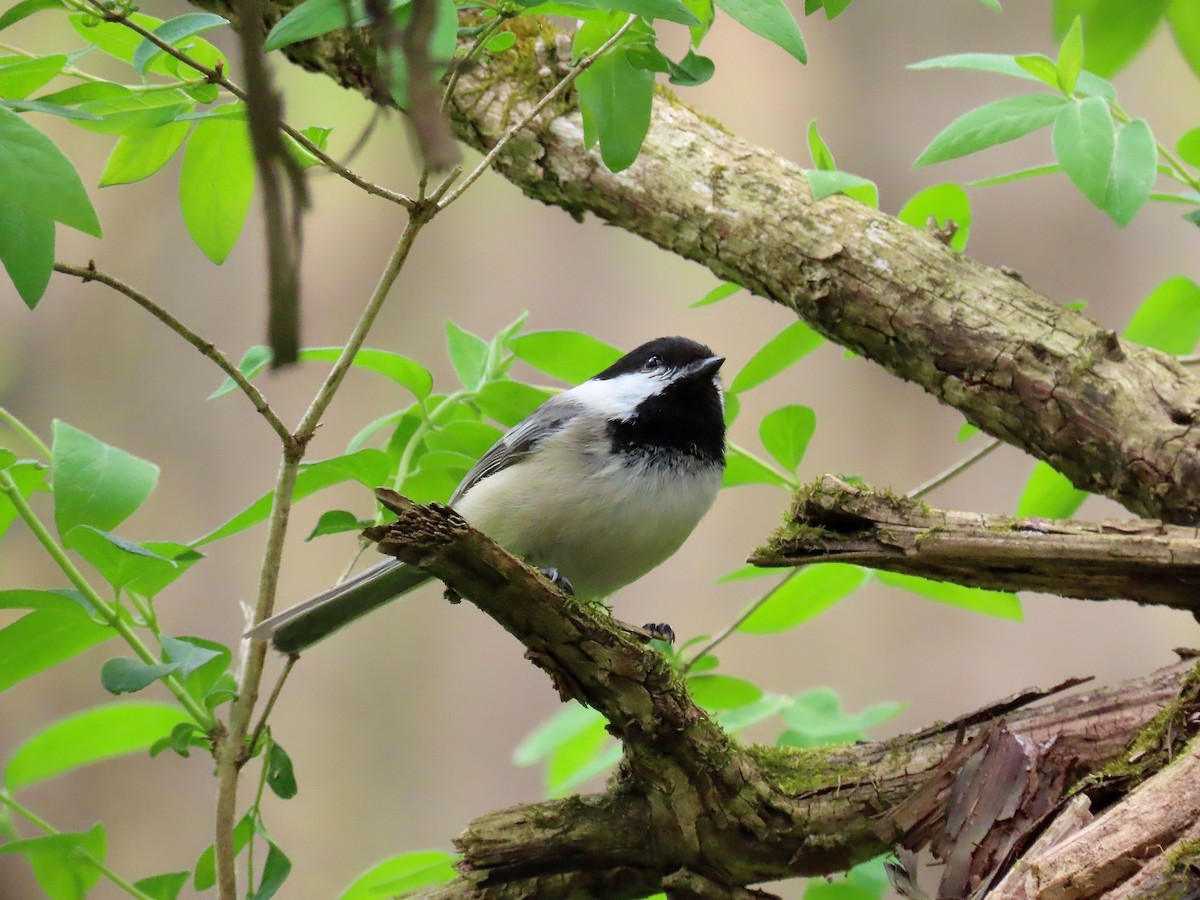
403, 730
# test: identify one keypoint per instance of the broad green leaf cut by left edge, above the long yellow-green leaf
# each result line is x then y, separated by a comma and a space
59, 628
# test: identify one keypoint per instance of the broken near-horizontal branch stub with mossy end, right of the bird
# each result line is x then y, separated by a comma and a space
1113, 560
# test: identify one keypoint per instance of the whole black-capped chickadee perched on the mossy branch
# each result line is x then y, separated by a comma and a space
601, 484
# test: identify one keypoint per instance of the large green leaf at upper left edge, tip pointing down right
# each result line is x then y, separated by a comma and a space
37, 177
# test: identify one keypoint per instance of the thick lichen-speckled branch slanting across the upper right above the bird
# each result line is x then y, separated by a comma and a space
1113, 417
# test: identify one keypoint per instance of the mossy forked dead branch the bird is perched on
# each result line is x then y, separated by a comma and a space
688, 799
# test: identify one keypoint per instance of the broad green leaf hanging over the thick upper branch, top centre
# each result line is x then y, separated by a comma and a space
615, 97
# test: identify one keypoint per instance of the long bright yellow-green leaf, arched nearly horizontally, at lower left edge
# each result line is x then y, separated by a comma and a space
92, 736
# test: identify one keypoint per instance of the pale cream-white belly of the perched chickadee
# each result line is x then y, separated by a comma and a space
602, 523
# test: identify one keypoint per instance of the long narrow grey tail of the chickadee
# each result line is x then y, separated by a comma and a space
305, 625
